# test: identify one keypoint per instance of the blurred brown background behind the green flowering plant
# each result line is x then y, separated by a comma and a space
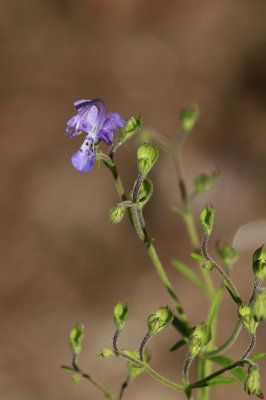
62, 262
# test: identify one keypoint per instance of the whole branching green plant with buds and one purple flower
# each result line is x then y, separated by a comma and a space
200, 339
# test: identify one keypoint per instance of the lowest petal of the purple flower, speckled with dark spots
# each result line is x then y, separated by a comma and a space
83, 159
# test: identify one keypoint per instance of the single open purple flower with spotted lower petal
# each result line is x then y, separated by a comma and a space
98, 125
